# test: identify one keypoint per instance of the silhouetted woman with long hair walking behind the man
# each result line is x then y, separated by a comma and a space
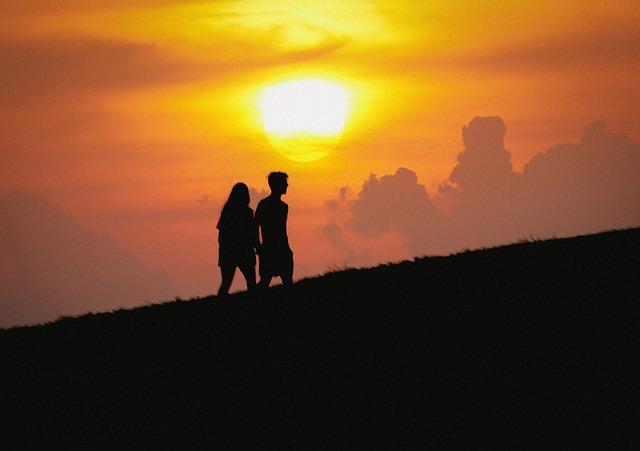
238, 238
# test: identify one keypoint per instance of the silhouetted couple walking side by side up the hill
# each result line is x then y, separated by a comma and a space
239, 236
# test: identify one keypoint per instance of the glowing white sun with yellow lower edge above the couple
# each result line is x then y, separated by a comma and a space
304, 119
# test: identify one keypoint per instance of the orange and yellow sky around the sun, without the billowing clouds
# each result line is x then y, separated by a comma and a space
136, 117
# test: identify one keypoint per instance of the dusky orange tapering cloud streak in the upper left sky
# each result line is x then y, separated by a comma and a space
64, 69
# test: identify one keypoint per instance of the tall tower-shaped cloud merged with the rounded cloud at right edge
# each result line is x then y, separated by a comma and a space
571, 189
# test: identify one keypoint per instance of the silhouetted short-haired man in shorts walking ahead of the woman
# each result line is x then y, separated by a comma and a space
276, 258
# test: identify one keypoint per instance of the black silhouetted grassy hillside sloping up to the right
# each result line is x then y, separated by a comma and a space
530, 345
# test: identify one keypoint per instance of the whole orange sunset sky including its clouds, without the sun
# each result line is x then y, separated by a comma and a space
126, 123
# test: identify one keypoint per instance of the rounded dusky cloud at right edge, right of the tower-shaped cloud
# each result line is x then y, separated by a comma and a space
584, 187
